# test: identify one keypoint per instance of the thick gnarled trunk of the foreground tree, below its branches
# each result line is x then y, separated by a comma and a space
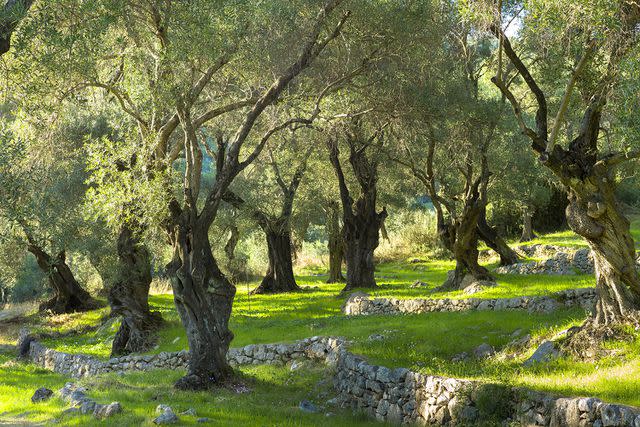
203, 297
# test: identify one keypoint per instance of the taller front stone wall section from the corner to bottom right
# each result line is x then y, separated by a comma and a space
401, 396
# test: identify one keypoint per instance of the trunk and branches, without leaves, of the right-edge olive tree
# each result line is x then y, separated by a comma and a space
588, 176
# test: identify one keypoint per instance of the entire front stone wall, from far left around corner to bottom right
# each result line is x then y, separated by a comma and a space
391, 395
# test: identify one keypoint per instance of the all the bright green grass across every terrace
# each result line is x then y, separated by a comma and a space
424, 342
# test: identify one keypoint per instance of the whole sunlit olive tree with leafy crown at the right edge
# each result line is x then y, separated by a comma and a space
596, 43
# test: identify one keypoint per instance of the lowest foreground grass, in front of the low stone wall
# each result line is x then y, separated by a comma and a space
273, 400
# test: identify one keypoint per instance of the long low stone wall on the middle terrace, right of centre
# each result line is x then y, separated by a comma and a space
362, 304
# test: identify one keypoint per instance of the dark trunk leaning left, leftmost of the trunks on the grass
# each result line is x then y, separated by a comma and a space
68, 295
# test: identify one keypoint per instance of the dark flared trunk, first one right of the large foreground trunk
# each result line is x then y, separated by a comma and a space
279, 277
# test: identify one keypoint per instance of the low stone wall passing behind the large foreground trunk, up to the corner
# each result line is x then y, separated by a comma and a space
79, 365
